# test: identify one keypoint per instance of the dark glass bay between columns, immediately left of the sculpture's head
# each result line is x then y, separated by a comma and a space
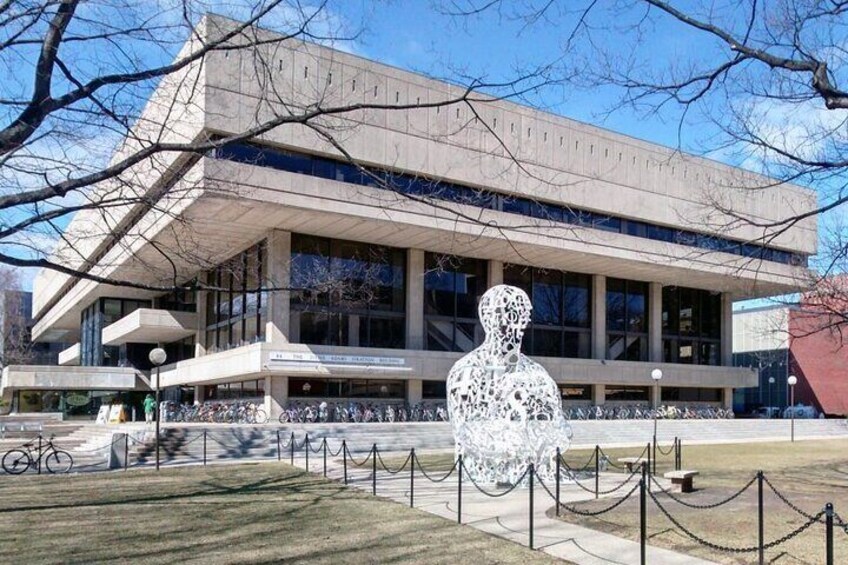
452, 288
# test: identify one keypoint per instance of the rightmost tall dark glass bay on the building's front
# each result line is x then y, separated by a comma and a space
691, 326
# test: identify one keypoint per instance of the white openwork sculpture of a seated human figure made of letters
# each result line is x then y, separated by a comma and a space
504, 408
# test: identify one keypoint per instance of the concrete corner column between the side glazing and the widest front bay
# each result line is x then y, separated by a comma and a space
277, 276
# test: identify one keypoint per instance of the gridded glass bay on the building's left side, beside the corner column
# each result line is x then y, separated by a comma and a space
235, 311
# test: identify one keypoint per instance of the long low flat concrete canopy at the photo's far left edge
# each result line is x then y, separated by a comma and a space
51, 377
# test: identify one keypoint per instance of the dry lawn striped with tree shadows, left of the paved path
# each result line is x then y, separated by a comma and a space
257, 513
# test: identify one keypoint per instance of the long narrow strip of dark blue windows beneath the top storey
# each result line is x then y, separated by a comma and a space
422, 187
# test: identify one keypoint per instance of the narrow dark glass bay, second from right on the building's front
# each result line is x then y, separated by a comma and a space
627, 320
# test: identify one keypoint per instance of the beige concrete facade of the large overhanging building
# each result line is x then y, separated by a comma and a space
230, 206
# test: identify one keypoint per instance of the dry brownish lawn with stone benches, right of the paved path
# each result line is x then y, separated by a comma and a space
808, 473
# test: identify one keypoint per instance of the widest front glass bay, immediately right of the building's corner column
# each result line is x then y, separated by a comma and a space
348, 293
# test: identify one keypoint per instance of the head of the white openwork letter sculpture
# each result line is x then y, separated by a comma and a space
504, 313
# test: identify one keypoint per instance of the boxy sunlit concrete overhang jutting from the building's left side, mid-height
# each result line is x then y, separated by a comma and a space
148, 325
